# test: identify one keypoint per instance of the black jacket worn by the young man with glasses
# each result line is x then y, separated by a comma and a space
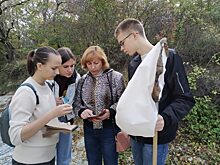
176, 100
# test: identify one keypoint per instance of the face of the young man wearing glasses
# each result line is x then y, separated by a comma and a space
125, 41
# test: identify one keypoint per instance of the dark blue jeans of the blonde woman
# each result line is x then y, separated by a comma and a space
100, 143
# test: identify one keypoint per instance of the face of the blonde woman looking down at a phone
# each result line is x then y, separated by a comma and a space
94, 66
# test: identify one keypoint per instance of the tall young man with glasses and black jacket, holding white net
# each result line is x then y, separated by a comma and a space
175, 102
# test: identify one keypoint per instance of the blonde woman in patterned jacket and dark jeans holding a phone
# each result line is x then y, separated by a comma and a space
97, 95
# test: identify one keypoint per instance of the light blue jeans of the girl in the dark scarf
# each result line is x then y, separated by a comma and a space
64, 147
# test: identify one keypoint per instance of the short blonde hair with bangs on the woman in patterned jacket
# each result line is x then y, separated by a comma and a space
93, 52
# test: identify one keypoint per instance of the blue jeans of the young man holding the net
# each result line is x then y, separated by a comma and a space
143, 153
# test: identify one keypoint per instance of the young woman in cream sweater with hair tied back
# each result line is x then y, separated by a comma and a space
28, 119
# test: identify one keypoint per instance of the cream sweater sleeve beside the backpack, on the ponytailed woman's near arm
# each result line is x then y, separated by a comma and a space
21, 108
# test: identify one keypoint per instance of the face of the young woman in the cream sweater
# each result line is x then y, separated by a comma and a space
50, 69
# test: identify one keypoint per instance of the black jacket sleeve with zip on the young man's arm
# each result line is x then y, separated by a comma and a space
181, 99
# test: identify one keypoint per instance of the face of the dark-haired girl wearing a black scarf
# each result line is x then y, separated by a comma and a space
67, 68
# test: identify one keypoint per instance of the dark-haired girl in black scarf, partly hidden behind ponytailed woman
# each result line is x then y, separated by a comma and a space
64, 86
